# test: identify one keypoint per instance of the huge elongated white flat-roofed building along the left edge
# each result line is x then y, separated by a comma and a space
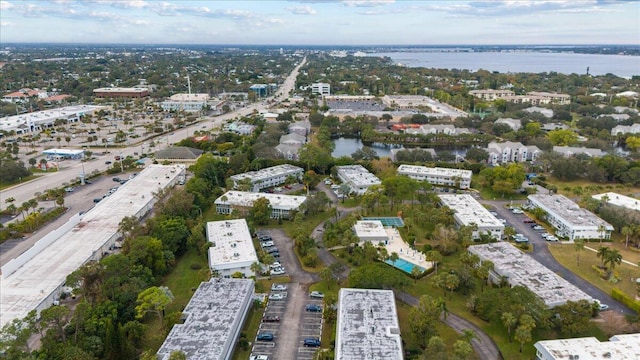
34, 280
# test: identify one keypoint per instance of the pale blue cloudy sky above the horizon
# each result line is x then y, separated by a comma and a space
321, 22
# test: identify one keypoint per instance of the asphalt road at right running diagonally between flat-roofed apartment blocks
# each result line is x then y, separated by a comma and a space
542, 254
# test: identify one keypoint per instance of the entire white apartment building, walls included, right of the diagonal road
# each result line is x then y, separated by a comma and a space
569, 219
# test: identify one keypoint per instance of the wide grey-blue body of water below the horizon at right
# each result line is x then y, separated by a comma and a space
519, 61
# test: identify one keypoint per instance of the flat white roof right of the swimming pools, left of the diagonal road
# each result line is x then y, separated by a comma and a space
468, 211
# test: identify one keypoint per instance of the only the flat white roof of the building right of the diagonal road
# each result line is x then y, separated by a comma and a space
570, 213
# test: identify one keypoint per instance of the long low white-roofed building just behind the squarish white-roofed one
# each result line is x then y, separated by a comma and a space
281, 205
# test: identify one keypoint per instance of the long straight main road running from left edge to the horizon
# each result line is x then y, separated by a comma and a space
71, 169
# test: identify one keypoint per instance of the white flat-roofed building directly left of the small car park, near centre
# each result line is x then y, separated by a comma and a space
231, 248
